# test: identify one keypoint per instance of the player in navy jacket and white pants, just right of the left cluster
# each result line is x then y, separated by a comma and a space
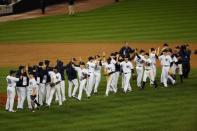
72, 79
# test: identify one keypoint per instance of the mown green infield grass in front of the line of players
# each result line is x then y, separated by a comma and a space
163, 109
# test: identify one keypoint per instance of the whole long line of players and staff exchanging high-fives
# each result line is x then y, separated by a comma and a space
42, 83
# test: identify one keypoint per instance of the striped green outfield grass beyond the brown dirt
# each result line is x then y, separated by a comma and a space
135, 20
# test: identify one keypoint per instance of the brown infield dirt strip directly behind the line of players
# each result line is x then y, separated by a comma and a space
13, 55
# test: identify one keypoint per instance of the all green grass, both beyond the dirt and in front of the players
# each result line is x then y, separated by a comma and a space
163, 109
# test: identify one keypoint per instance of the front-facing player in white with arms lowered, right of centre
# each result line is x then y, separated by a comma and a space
128, 70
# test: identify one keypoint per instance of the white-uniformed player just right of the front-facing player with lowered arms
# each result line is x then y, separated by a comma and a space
139, 67
